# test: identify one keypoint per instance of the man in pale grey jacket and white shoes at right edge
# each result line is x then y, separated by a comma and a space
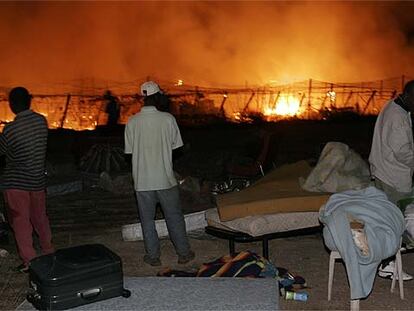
392, 154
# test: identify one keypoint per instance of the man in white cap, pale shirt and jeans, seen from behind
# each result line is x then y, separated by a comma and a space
150, 136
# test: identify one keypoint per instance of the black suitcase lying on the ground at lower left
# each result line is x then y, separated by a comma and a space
75, 276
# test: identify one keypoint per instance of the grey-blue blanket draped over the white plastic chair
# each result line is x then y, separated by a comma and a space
384, 225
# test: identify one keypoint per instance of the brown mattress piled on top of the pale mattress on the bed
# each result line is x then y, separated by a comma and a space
277, 192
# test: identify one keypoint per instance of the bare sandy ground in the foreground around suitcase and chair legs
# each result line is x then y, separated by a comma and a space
305, 256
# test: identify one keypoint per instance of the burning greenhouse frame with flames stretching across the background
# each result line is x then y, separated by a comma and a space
309, 99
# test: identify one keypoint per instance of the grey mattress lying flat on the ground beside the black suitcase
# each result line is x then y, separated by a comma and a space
190, 294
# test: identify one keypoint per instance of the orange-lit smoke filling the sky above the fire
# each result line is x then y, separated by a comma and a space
203, 43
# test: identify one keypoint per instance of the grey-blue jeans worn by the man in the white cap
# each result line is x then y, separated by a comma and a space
174, 218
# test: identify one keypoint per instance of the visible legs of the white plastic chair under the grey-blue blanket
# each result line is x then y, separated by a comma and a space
355, 302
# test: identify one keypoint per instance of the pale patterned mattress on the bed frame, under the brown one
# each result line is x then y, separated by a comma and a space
265, 224
